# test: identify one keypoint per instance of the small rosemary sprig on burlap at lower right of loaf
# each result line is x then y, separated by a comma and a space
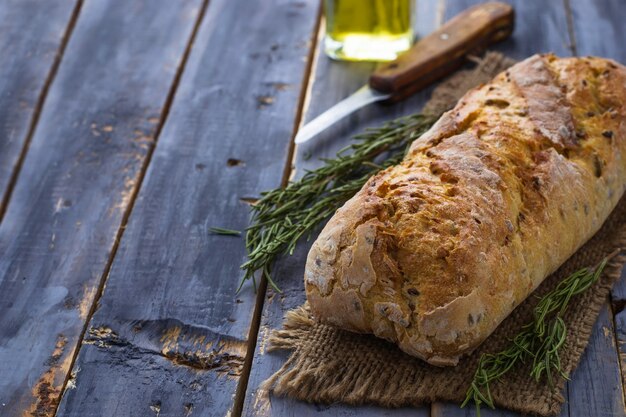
539, 341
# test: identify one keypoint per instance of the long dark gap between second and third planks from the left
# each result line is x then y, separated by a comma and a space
133, 197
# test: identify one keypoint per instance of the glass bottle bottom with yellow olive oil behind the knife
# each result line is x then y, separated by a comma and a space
368, 30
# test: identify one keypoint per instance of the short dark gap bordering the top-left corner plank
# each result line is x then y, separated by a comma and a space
4, 203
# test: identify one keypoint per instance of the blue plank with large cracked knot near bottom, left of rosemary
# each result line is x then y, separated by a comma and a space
170, 335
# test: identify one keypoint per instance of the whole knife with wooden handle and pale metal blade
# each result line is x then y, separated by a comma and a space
430, 59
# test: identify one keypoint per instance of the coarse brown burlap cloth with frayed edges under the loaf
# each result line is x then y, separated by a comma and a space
329, 365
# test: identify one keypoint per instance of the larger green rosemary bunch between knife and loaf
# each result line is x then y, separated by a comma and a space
284, 215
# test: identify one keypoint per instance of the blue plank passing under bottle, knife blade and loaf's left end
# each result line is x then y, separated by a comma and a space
332, 81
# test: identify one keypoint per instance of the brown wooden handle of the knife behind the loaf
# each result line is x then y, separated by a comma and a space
444, 50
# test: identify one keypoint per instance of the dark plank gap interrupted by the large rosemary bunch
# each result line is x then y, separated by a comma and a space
303, 102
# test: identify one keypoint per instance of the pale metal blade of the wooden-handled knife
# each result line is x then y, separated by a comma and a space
363, 96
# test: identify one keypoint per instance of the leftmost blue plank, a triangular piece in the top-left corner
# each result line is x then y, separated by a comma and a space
33, 37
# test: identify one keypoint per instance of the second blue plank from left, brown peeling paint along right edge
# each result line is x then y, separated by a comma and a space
84, 163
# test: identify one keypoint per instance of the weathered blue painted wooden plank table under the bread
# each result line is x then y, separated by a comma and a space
127, 130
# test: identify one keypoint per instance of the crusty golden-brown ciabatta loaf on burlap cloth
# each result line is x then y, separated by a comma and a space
434, 253
